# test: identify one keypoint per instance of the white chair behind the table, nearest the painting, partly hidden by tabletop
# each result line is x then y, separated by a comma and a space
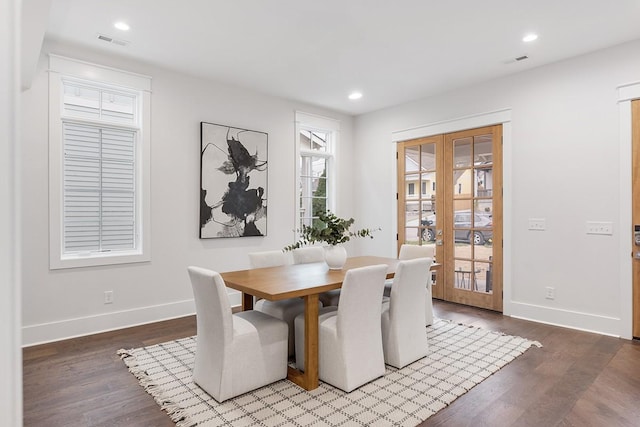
286, 309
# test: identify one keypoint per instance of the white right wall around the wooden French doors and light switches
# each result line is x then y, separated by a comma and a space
564, 160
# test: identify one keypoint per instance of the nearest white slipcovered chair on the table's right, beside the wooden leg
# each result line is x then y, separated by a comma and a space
349, 337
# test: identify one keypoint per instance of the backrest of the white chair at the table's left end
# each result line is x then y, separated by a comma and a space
213, 310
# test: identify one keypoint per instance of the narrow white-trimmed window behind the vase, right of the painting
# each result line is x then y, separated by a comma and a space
315, 144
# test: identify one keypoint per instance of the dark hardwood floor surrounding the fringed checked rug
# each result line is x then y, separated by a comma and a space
576, 379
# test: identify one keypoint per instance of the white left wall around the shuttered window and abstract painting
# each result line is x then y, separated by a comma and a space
64, 303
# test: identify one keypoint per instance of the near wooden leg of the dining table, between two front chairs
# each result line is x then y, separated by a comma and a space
309, 378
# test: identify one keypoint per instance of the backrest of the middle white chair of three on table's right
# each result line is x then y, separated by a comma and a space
408, 291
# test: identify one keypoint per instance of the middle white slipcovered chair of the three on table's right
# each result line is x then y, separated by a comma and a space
404, 336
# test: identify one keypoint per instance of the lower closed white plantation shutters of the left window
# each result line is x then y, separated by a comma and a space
99, 188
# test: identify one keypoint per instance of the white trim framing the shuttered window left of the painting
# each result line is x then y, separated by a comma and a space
61, 68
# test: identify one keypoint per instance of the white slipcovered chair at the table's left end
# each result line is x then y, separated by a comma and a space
235, 353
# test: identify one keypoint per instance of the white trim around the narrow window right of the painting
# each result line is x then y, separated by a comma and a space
312, 122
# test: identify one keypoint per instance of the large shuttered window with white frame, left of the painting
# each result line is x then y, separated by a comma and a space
99, 165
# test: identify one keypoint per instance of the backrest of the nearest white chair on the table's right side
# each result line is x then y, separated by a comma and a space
359, 310
